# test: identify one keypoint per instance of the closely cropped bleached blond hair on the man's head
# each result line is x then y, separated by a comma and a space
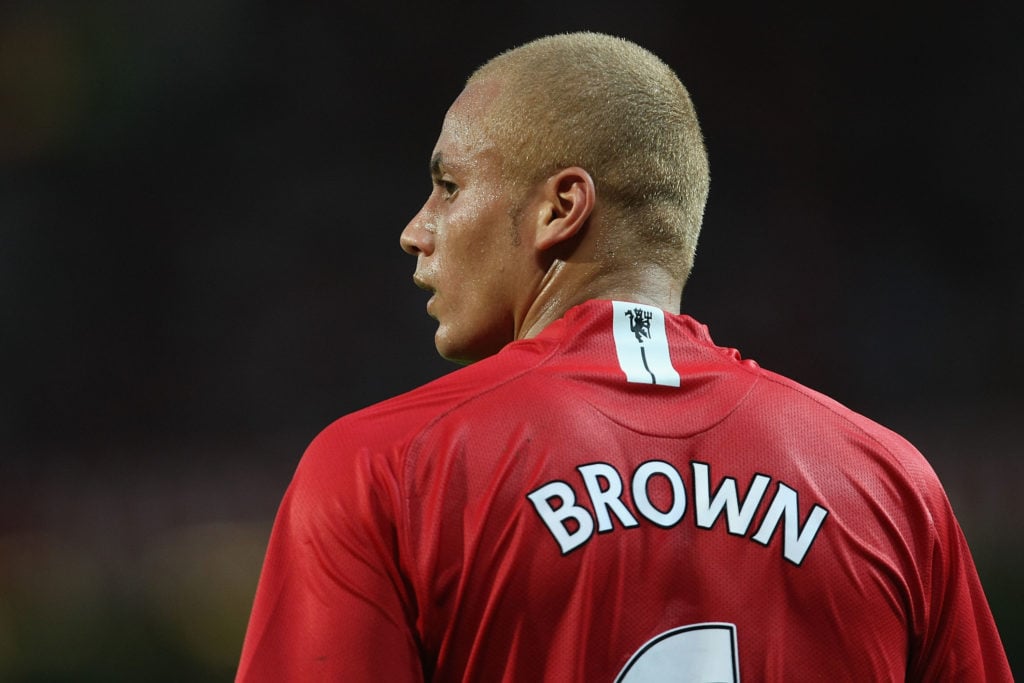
616, 110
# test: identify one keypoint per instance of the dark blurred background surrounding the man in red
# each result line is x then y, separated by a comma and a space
200, 208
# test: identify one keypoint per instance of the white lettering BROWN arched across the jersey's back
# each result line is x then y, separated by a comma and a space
658, 494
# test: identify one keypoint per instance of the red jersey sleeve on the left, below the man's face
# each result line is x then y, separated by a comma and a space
332, 603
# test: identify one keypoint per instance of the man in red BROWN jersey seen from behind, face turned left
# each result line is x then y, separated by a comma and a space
604, 494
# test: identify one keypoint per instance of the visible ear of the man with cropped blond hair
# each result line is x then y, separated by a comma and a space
568, 201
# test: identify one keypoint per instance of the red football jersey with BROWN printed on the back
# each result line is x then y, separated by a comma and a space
617, 499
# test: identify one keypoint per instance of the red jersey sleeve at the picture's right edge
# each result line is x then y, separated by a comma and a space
960, 641
